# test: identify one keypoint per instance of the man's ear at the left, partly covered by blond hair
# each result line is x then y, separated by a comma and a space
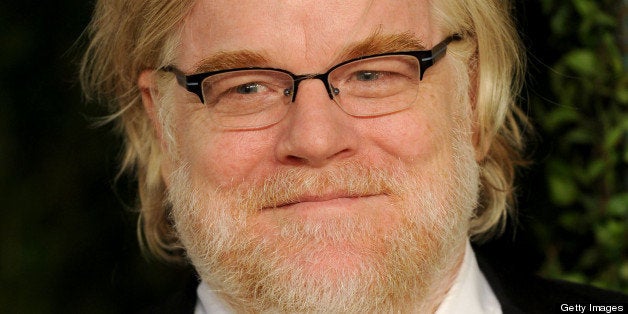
148, 89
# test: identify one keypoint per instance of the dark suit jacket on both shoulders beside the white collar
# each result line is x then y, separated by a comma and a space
517, 293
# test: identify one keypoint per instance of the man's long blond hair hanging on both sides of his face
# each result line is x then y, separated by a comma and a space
127, 37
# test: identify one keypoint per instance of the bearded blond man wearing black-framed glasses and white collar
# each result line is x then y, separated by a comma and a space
320, 156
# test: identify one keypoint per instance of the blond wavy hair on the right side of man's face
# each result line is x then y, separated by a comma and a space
496, 68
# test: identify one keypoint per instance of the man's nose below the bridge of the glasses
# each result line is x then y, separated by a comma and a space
316, 131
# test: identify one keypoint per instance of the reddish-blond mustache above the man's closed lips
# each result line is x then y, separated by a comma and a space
289, 186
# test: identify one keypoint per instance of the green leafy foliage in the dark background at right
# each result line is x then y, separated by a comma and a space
585, 118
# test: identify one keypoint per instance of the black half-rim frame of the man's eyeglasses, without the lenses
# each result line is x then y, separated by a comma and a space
426, 58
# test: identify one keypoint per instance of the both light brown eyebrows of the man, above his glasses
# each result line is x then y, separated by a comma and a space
376, 43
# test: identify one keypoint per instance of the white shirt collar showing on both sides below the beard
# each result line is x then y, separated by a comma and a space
470, 293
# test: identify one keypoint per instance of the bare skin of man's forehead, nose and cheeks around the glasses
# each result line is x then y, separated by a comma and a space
315, 133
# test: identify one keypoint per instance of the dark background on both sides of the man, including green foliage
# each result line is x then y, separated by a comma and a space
67, 227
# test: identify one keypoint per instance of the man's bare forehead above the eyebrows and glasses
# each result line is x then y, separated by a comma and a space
304, 34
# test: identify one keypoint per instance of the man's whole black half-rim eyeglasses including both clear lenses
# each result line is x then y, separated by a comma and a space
254, 97
